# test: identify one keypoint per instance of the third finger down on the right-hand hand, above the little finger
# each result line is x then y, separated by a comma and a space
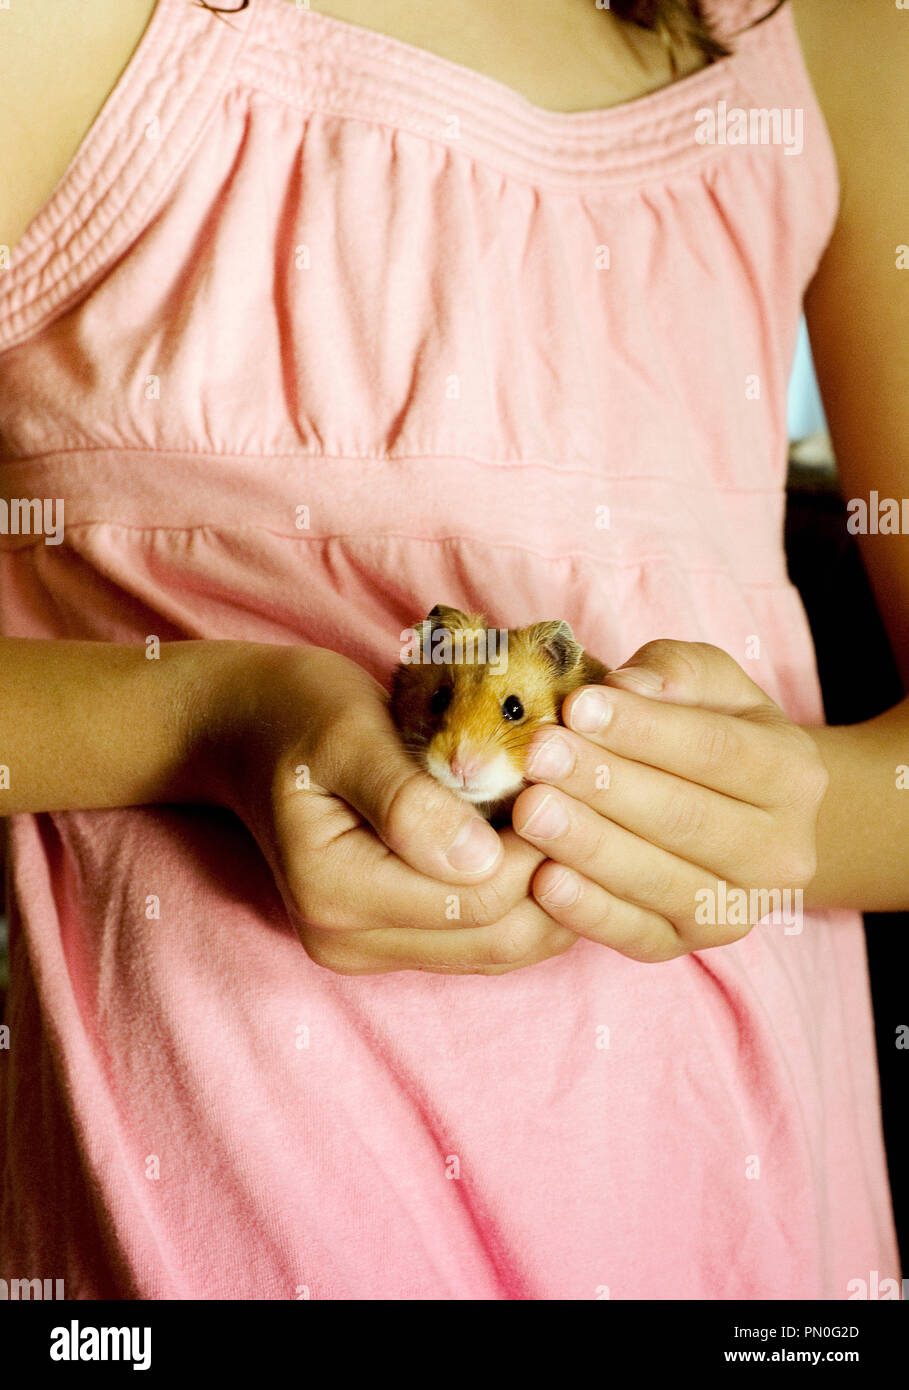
618, 861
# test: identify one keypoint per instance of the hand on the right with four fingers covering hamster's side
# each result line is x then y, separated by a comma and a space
680, 772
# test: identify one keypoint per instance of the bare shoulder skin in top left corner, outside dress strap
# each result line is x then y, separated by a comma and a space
59, 63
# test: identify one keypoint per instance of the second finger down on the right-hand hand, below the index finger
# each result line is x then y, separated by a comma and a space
726, 836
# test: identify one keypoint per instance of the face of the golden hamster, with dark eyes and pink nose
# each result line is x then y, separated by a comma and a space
470, 726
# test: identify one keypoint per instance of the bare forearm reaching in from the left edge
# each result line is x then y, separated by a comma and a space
98, 725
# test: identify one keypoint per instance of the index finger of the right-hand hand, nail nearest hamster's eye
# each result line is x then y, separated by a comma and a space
732, 755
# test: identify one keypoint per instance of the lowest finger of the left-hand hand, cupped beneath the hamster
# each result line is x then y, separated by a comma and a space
525, 938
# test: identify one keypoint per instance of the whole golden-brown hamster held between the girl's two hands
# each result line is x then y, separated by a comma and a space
470, 701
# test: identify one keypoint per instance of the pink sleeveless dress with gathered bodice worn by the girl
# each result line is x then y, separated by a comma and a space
297, 263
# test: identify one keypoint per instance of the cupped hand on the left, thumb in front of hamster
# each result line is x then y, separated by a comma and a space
380, 868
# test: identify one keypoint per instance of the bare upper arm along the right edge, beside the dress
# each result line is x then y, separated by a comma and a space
858, 59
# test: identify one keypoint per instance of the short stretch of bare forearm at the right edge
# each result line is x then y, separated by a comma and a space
864, 824
